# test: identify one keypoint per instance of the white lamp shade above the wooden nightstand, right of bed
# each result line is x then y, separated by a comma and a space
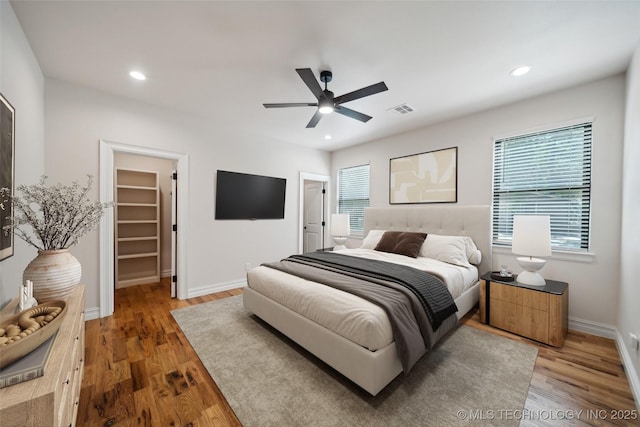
531, 235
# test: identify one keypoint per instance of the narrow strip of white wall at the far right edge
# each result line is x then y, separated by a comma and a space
629, 313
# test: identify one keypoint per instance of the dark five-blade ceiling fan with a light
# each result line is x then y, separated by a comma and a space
326, 102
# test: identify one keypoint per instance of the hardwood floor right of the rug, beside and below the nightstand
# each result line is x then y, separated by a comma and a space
584, 379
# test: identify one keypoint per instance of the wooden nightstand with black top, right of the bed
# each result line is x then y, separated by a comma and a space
537, 312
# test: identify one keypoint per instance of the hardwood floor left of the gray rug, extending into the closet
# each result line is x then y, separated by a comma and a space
140, 370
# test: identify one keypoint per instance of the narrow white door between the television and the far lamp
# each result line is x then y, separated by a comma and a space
313, 216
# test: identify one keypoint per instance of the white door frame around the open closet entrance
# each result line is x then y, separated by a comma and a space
107, 242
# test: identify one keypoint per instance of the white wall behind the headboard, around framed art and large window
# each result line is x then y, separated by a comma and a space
594, 285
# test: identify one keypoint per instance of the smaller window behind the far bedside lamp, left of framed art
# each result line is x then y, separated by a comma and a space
353, 195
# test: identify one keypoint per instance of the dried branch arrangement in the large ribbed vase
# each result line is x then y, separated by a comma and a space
58, 214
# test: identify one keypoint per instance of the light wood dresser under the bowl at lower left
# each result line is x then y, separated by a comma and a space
50, 400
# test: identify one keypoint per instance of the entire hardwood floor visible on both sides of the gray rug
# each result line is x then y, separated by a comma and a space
140, 370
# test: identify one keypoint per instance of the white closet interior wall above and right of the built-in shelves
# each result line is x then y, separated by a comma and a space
164, 168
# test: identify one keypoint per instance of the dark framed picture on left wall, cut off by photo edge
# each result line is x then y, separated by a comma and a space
7, 145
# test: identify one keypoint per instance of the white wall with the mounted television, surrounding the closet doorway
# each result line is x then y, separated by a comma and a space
77, 118
